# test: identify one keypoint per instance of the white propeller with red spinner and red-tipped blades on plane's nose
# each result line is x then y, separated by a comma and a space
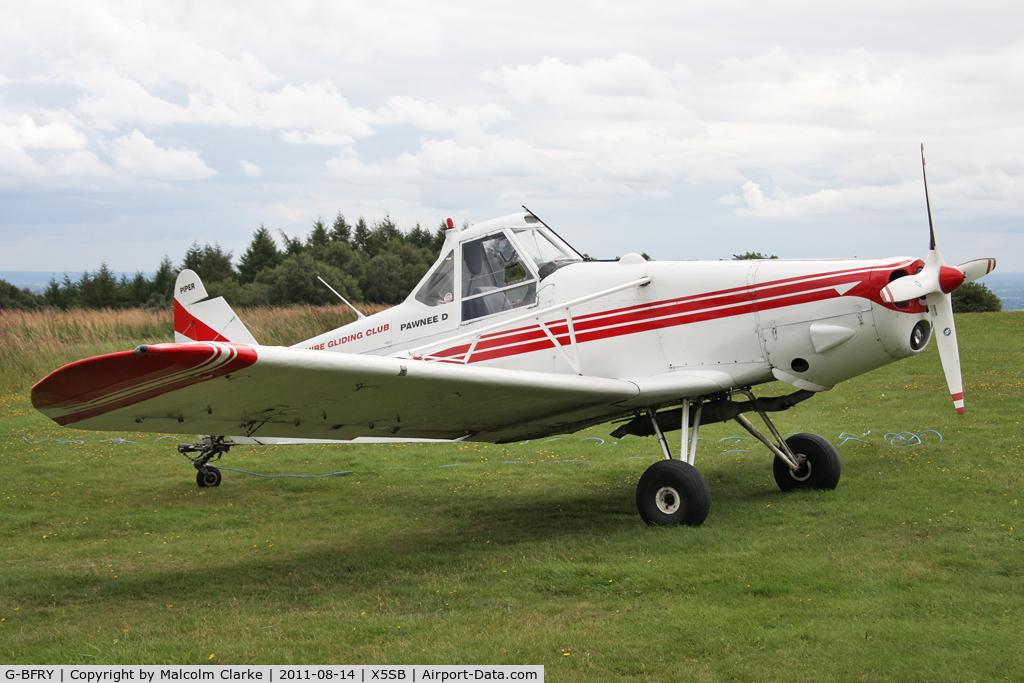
936, 282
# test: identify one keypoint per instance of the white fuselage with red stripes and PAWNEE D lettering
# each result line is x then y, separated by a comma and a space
813, 323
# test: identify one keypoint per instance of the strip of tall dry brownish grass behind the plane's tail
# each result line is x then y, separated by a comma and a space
35, 344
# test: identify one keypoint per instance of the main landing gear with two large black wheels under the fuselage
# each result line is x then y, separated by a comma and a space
673, 492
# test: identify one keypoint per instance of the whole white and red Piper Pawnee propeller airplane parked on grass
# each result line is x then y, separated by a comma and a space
514, 335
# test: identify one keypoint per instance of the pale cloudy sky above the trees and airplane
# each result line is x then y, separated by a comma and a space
684, 130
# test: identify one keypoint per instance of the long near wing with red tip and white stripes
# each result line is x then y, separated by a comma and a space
237, 390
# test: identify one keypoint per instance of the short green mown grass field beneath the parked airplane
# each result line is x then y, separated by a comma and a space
913, 570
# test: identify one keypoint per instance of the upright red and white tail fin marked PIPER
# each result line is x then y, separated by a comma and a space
196, 320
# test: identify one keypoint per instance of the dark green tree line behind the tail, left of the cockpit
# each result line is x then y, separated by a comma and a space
374, 263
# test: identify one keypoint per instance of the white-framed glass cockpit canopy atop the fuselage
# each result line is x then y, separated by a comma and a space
495, 267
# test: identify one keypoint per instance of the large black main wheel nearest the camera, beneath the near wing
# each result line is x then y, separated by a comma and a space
672, 493
